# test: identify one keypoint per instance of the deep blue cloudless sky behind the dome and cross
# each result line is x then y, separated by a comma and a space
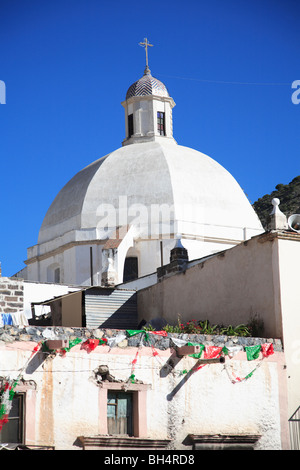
67, 64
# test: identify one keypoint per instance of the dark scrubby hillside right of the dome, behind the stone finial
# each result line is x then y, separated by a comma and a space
289, 195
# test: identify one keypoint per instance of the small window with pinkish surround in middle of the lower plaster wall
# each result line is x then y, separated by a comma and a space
119, 413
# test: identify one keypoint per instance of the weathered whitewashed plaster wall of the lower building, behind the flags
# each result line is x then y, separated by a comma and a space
67, 397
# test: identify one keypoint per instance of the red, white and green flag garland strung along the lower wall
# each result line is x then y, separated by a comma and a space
8, 386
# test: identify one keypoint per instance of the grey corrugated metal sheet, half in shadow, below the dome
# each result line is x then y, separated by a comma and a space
111, 308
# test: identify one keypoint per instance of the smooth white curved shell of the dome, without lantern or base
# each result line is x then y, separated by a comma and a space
149, 174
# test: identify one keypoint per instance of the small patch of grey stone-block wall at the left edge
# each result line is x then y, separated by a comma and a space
11, 295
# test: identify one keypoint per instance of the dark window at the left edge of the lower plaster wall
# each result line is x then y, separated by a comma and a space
12, 432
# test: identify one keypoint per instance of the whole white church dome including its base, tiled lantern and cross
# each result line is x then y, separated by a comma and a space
128, 206
